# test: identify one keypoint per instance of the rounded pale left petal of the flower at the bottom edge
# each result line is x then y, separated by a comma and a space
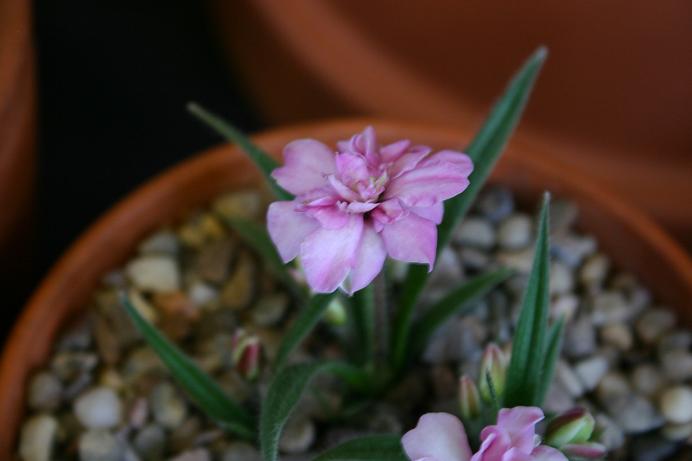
437, 437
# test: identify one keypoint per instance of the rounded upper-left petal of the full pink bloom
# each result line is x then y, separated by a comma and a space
307, 163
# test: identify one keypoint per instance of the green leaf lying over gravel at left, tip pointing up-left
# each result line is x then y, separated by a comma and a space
199, 386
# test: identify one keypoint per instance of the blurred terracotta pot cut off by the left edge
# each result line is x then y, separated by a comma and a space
17, 126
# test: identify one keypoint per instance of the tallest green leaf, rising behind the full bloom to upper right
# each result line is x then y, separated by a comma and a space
484, 150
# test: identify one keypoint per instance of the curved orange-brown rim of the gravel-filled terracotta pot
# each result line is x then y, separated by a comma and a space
90, 241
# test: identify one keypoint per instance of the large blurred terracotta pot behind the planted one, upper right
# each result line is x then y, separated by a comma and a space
614, 100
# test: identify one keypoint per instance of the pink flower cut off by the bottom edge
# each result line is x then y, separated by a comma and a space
441, 437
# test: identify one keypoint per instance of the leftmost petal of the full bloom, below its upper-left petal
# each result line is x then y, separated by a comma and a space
288, 228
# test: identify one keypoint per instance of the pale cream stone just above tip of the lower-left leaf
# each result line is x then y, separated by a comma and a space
154, 273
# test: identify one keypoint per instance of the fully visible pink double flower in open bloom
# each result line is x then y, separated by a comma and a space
355, 206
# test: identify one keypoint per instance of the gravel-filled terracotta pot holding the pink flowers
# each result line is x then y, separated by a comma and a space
631, 239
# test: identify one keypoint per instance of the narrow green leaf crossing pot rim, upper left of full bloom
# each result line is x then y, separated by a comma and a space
261, 159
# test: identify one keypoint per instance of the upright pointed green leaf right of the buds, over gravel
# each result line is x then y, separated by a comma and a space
529, 344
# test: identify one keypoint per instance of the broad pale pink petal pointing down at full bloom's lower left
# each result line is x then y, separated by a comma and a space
327, 255
